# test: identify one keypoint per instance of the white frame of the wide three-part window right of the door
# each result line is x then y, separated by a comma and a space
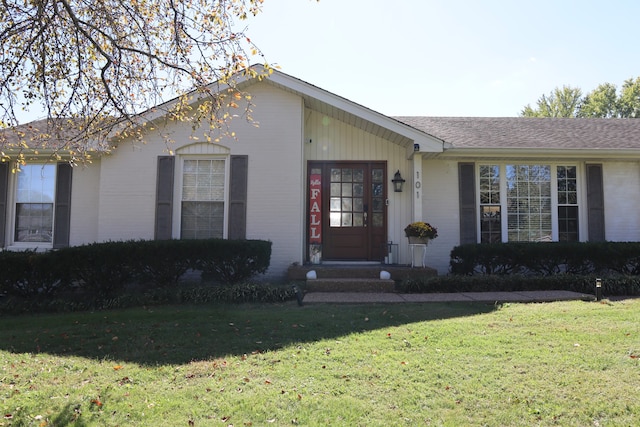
581, 196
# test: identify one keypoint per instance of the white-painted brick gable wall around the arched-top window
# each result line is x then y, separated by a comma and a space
274, 207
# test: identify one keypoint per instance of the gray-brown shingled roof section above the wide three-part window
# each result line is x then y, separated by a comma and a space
531, 133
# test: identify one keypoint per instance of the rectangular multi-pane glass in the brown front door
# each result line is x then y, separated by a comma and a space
346, 202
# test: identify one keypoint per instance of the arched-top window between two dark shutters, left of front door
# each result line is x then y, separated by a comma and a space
203, 194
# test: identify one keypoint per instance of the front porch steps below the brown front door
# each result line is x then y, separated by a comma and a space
355, 277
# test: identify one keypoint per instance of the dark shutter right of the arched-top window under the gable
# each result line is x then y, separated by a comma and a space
238, 197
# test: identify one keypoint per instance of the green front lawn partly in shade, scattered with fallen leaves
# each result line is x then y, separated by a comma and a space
568, 364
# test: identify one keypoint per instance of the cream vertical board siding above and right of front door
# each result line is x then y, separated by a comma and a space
332, 139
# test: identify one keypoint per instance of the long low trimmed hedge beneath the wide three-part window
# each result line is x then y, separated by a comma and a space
546, 258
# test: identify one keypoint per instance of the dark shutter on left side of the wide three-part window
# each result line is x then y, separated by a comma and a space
467, 195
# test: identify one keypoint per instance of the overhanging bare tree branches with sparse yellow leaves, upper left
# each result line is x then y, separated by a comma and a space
92, 64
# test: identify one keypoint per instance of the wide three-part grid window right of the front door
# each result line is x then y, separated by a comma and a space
528, 203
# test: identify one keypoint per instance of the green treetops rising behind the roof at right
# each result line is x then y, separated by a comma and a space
603, 102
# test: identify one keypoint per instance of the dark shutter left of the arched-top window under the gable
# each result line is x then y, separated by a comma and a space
164, 197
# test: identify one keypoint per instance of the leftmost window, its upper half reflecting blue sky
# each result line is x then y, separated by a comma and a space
35, 195
